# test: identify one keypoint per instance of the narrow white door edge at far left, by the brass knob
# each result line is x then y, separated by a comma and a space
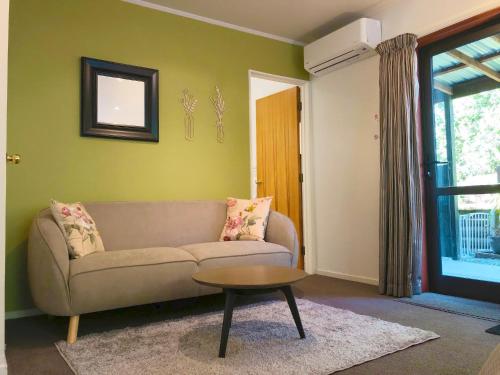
4, 41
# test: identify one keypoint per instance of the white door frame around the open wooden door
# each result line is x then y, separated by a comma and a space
306, 165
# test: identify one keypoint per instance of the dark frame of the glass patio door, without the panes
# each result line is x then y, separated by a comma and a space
470, 288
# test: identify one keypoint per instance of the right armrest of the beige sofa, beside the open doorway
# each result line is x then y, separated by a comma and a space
281, 230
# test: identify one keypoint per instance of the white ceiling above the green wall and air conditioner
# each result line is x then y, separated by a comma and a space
297, 20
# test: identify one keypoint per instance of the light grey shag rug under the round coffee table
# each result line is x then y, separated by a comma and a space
263, 340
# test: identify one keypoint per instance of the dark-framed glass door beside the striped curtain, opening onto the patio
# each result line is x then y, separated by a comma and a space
460, 86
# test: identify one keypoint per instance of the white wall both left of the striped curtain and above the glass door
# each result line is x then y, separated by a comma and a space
345, 153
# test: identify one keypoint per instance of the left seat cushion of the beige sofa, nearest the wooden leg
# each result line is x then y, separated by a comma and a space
112, 279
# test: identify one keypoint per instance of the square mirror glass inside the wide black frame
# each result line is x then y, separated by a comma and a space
120, 101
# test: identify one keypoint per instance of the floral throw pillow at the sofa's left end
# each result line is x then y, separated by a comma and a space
78, 227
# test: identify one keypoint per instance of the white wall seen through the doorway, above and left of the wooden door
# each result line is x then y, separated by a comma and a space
259, 88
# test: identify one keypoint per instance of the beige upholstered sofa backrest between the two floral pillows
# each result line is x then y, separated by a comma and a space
132, 225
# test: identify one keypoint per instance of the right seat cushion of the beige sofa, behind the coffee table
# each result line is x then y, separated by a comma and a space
232, 253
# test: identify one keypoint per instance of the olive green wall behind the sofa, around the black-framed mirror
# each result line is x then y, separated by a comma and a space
47, 39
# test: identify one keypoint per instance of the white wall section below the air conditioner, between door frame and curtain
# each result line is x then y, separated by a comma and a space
346, 172
